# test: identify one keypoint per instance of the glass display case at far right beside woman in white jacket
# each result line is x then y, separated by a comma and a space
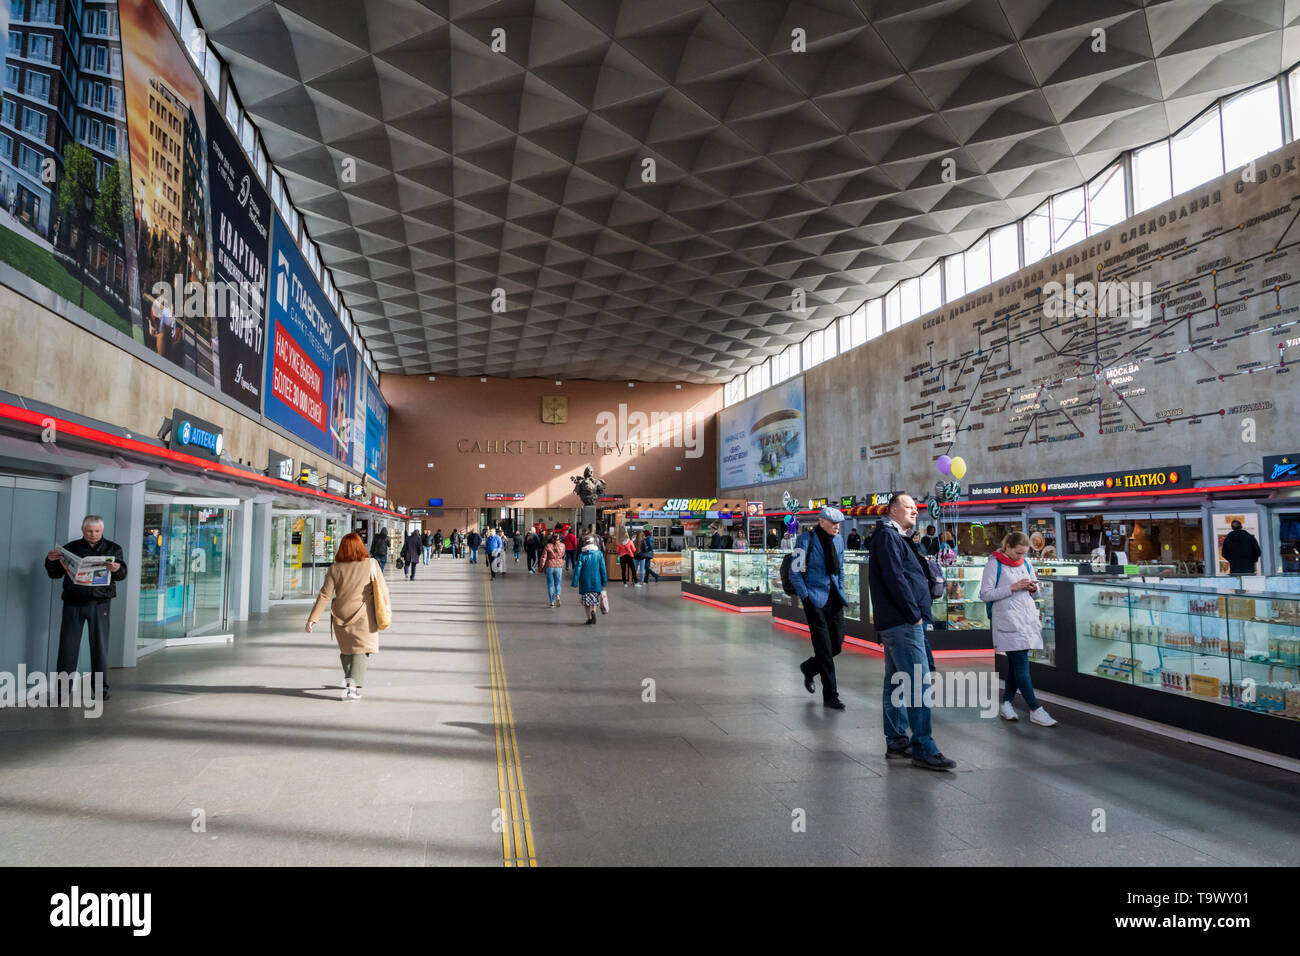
1229, 647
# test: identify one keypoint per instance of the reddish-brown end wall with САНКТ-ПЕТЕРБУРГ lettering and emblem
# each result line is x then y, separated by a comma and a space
445, 421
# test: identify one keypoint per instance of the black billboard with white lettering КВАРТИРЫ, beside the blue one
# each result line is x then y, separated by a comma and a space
241, 232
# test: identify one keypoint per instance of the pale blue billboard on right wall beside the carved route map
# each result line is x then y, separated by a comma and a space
764, 439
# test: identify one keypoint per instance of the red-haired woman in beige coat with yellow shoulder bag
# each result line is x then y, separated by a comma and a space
349, 591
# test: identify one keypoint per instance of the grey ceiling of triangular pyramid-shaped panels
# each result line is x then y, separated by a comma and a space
774, 170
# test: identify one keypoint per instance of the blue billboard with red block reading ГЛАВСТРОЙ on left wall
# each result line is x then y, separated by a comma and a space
310, 362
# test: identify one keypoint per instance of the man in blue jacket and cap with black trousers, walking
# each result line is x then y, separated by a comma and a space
818, 581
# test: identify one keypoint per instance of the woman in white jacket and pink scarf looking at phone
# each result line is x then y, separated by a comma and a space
1009, 585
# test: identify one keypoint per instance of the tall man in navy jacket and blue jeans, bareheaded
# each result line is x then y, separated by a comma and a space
899, 579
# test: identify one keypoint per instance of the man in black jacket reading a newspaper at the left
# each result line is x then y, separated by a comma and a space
86, 605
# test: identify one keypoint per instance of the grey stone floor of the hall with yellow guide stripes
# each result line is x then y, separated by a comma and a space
484, 698
